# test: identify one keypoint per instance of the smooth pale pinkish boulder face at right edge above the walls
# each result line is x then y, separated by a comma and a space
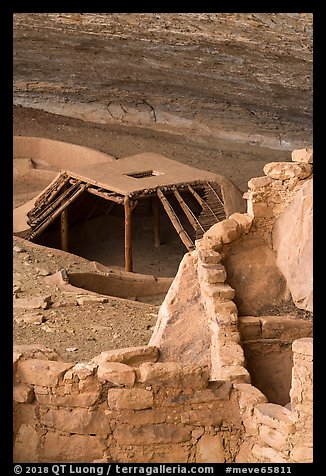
292, 241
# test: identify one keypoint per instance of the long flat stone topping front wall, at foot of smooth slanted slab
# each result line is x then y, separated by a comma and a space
174, 374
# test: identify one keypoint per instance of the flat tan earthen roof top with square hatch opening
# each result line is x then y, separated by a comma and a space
117, 176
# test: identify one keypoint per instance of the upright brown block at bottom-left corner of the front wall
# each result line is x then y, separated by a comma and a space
26, 444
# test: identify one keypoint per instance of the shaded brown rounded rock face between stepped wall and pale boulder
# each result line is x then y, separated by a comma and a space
252, 272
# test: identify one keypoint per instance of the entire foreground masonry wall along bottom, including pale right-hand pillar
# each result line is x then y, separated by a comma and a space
124, 406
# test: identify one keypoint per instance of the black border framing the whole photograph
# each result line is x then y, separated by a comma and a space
7, 192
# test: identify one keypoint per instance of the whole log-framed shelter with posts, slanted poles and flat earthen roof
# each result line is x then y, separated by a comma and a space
126, 182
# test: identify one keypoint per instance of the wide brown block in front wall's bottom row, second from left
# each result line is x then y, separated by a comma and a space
73, 448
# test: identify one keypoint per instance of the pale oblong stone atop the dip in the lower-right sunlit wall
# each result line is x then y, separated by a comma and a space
275, 416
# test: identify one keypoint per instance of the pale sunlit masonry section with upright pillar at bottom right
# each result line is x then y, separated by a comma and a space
278, 434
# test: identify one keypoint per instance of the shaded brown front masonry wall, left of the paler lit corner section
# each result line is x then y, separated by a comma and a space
123, 406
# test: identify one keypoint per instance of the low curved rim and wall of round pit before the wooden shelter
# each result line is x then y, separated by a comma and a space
136, 287
